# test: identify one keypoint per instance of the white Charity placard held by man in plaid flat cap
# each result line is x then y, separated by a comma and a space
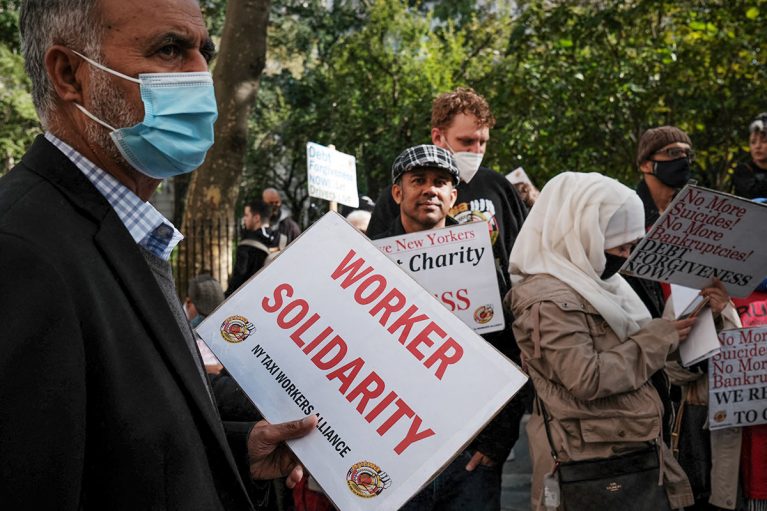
456, 265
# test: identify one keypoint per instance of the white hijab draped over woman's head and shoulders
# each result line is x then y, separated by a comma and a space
564, 236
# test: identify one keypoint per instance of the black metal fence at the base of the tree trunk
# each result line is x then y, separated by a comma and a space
208, 246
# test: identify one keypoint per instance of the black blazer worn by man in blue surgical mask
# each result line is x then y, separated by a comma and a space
101, 405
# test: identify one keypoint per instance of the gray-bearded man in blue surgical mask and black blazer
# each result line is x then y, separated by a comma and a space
105, 402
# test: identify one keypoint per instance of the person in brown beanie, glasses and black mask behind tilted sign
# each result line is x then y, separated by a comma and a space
664, 156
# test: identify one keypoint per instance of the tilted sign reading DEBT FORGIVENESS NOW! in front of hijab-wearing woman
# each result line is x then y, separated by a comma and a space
705, 234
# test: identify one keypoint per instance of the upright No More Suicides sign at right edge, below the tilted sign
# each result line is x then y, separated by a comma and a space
737, 379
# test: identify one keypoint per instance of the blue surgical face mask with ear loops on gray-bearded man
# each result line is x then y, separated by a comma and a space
177, 130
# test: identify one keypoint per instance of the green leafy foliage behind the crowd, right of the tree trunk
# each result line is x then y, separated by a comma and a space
572, 84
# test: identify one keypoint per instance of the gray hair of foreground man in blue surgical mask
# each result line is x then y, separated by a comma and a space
43, 23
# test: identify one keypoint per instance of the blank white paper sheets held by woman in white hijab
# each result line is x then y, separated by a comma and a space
702, 342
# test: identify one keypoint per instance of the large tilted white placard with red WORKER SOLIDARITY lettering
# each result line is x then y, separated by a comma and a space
332, 327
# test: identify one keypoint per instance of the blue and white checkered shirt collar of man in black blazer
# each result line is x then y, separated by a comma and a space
145, 224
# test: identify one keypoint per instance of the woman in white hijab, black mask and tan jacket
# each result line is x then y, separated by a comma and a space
588, 341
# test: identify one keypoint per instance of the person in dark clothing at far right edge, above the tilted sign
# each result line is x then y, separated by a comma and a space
750, 178
